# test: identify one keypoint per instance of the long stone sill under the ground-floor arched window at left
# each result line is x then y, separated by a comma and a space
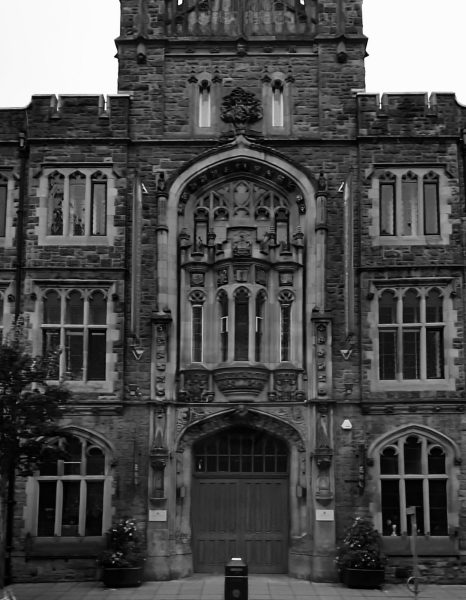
64, 547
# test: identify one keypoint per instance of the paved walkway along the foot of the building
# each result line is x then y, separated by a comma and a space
200, 587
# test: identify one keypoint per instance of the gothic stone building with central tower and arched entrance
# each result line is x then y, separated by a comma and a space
254, 272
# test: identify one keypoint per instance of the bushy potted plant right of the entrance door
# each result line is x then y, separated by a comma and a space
360, 560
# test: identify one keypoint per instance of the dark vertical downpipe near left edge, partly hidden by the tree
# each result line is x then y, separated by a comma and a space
23, 149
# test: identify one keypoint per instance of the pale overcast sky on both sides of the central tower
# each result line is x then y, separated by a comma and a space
67, 46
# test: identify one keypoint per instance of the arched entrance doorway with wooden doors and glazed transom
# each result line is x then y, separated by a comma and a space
240, 501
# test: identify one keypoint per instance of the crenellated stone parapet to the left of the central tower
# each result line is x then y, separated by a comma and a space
73, 116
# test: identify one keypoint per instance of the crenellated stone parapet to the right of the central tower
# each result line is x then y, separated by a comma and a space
409, 114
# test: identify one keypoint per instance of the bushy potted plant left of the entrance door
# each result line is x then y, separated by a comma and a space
123, 561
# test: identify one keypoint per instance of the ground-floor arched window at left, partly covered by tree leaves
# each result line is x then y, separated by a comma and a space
72, 492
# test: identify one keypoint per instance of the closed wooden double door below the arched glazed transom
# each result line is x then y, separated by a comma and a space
240, 516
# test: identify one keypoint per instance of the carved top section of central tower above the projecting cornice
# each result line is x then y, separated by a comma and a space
142, 20
